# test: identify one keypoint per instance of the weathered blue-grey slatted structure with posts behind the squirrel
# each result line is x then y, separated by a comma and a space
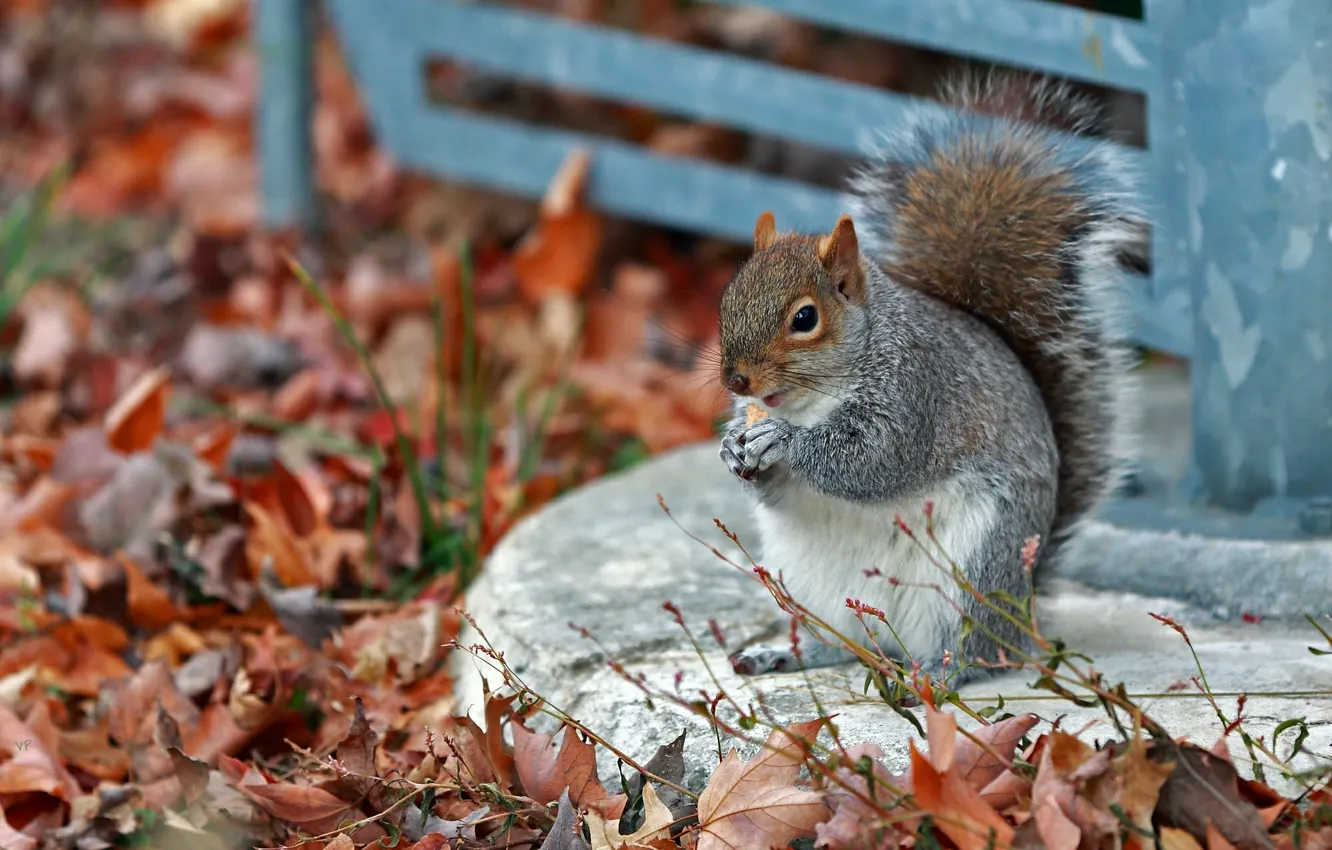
1237, 173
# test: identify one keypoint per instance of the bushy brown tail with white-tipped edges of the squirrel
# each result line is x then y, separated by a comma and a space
1026, 228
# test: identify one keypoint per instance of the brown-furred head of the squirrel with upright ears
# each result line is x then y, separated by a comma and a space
769, 343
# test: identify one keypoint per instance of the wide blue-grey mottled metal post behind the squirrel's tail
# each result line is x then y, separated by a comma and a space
1247, 203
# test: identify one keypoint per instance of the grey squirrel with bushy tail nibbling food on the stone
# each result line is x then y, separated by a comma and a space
954, 342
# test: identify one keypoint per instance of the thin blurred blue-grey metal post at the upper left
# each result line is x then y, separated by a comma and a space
284, 37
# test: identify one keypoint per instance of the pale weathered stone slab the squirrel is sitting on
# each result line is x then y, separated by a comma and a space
608, 558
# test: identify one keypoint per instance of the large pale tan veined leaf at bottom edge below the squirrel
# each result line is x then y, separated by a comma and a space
757, 804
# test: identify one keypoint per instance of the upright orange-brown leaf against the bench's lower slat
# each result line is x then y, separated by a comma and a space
560, 255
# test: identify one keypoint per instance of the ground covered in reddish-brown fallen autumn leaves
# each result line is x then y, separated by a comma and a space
248, 478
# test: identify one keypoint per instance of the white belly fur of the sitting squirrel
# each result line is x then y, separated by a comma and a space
821, 547
